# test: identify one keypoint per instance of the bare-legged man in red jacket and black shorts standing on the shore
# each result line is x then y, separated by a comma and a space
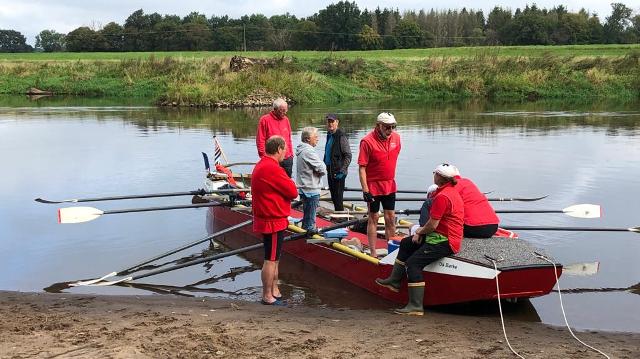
271, 192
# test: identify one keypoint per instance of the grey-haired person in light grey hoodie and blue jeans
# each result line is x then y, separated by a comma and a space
309, 172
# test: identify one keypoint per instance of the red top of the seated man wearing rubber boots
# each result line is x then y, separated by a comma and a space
448, 208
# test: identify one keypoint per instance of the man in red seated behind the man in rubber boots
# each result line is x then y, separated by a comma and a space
480, 219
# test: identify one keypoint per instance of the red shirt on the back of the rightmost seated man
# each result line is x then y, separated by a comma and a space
477, 209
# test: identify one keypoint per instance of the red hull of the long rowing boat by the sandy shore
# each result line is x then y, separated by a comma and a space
441, 288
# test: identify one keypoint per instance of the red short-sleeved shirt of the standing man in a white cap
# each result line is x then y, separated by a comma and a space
380, 158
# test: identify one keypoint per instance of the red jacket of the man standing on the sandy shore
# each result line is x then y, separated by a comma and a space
272, 192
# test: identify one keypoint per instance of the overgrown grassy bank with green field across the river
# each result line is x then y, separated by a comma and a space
564, 72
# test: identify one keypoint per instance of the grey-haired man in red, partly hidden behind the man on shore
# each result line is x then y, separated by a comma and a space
273, 123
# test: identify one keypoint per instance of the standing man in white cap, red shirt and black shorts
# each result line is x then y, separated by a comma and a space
377, 159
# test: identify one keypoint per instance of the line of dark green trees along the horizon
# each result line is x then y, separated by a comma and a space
341, 26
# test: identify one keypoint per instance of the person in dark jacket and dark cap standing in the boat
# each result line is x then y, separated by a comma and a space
337, 157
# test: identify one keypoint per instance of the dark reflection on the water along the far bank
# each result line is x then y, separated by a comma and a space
473, 118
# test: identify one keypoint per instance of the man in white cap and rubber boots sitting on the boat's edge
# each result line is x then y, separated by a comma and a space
439, 237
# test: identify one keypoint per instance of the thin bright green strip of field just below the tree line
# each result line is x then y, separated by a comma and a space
408, 54
